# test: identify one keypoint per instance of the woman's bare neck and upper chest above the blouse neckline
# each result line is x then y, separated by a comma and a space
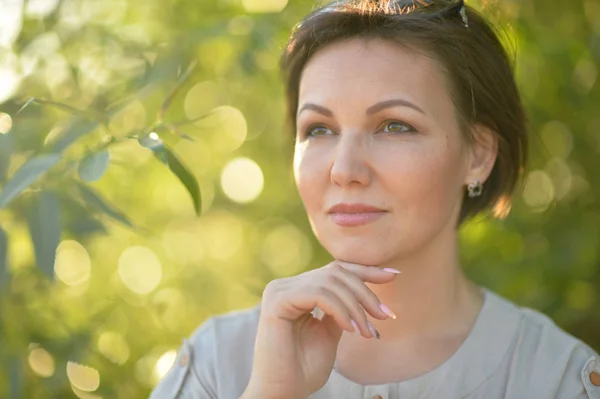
432, 298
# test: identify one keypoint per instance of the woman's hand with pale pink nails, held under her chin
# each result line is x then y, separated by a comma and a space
295, 352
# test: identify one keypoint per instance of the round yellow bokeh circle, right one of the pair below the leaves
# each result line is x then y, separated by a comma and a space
140, 269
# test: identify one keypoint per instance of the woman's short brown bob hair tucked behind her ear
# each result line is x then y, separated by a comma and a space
478, 70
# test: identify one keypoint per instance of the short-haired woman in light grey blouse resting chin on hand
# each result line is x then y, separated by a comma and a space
408, 122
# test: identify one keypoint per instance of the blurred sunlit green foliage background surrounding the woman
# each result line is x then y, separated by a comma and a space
145, 175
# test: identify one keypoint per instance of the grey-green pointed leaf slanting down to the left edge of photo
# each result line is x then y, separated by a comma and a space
26, 176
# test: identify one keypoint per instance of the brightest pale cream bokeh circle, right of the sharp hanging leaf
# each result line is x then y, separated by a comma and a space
242, 180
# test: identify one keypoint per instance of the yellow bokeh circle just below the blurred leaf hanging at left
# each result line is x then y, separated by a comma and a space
72, 265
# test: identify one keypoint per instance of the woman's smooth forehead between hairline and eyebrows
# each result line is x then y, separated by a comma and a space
363, 70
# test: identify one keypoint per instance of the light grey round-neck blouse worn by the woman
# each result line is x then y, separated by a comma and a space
511, 352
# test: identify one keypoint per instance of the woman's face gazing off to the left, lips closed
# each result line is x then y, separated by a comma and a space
377, 127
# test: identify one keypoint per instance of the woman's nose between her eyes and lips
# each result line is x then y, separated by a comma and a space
350, 162
